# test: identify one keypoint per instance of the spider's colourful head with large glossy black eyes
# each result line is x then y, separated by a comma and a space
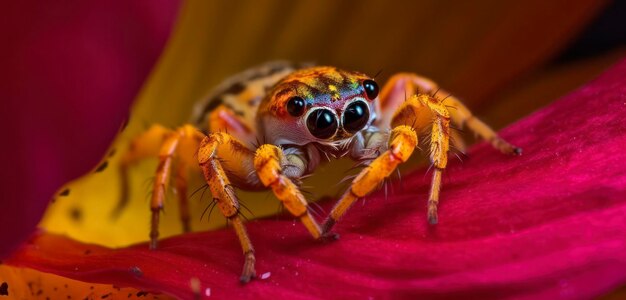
320, 104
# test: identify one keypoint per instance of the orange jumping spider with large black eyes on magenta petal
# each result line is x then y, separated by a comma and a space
302, 114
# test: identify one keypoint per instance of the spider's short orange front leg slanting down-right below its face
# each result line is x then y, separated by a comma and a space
267, 162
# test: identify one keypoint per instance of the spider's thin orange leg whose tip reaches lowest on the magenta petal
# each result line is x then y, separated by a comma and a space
223, 193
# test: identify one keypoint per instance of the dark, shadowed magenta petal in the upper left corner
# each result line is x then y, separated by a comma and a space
70, 70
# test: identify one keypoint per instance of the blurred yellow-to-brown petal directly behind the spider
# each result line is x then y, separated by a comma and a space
459, 46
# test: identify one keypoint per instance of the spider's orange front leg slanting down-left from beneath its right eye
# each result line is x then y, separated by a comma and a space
402, 142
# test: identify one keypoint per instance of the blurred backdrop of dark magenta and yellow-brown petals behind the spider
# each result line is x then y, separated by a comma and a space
503, 59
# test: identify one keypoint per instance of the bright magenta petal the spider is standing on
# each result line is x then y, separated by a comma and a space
548, 224
